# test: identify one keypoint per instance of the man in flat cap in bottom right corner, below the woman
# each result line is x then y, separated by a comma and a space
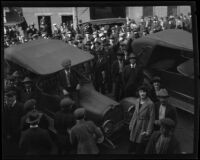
164, 140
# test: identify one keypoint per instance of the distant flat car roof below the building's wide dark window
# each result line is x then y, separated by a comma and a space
105, 21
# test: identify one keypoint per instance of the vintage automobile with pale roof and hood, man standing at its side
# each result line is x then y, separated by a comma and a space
41, 59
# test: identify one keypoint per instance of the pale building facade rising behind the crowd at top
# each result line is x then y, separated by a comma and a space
83, 14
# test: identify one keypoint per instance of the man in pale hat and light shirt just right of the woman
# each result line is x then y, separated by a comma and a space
163, 109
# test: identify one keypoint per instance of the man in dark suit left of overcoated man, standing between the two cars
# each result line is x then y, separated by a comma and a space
116, 70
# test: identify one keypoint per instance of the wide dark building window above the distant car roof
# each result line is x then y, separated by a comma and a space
107, 12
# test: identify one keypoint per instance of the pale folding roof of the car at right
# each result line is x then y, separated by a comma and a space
171, 38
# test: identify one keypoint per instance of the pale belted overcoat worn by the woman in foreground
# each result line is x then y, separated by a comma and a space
142, 120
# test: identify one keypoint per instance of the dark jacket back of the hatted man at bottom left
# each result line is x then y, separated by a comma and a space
36, 141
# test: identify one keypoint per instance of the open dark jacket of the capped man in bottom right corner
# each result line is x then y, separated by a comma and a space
173, 147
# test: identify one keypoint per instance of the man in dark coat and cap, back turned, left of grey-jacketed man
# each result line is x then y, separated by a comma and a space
64, 120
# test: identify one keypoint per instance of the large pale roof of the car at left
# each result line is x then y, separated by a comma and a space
44, 56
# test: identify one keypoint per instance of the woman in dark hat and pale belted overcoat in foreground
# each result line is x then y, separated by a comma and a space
141, 124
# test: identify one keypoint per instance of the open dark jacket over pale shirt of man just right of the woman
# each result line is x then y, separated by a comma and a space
169, 113
